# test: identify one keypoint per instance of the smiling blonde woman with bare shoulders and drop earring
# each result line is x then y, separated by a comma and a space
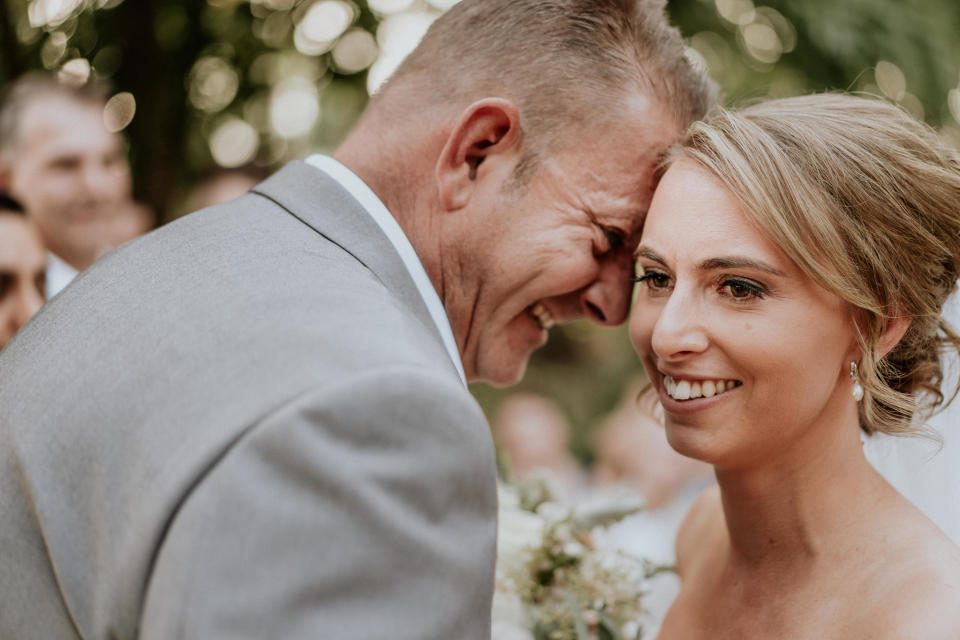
794, 266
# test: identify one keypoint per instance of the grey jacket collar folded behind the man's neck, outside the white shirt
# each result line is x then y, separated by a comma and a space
324, 205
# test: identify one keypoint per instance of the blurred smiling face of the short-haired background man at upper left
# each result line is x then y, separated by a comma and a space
71, 175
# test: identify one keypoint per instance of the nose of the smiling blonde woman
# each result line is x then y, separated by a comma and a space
680, 330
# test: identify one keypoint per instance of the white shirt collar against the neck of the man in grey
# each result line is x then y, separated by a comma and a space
378, 211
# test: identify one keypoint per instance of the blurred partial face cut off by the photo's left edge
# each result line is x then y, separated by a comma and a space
22, 273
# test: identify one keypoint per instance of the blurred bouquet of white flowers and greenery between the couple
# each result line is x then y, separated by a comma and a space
556, 579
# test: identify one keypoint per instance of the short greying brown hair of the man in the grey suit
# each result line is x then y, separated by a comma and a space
562, 62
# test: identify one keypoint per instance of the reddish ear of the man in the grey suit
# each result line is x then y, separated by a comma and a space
487, 130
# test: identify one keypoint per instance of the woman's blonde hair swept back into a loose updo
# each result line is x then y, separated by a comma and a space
866, 201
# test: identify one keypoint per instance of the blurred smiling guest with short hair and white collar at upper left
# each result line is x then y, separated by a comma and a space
70, 172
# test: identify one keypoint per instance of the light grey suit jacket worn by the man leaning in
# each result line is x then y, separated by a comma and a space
244, 425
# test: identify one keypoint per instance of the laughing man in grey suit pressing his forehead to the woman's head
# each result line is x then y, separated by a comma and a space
253, 423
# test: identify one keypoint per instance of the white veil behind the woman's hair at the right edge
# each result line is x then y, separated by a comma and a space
923, 472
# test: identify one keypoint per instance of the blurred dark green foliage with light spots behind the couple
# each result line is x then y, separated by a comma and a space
907, 52
